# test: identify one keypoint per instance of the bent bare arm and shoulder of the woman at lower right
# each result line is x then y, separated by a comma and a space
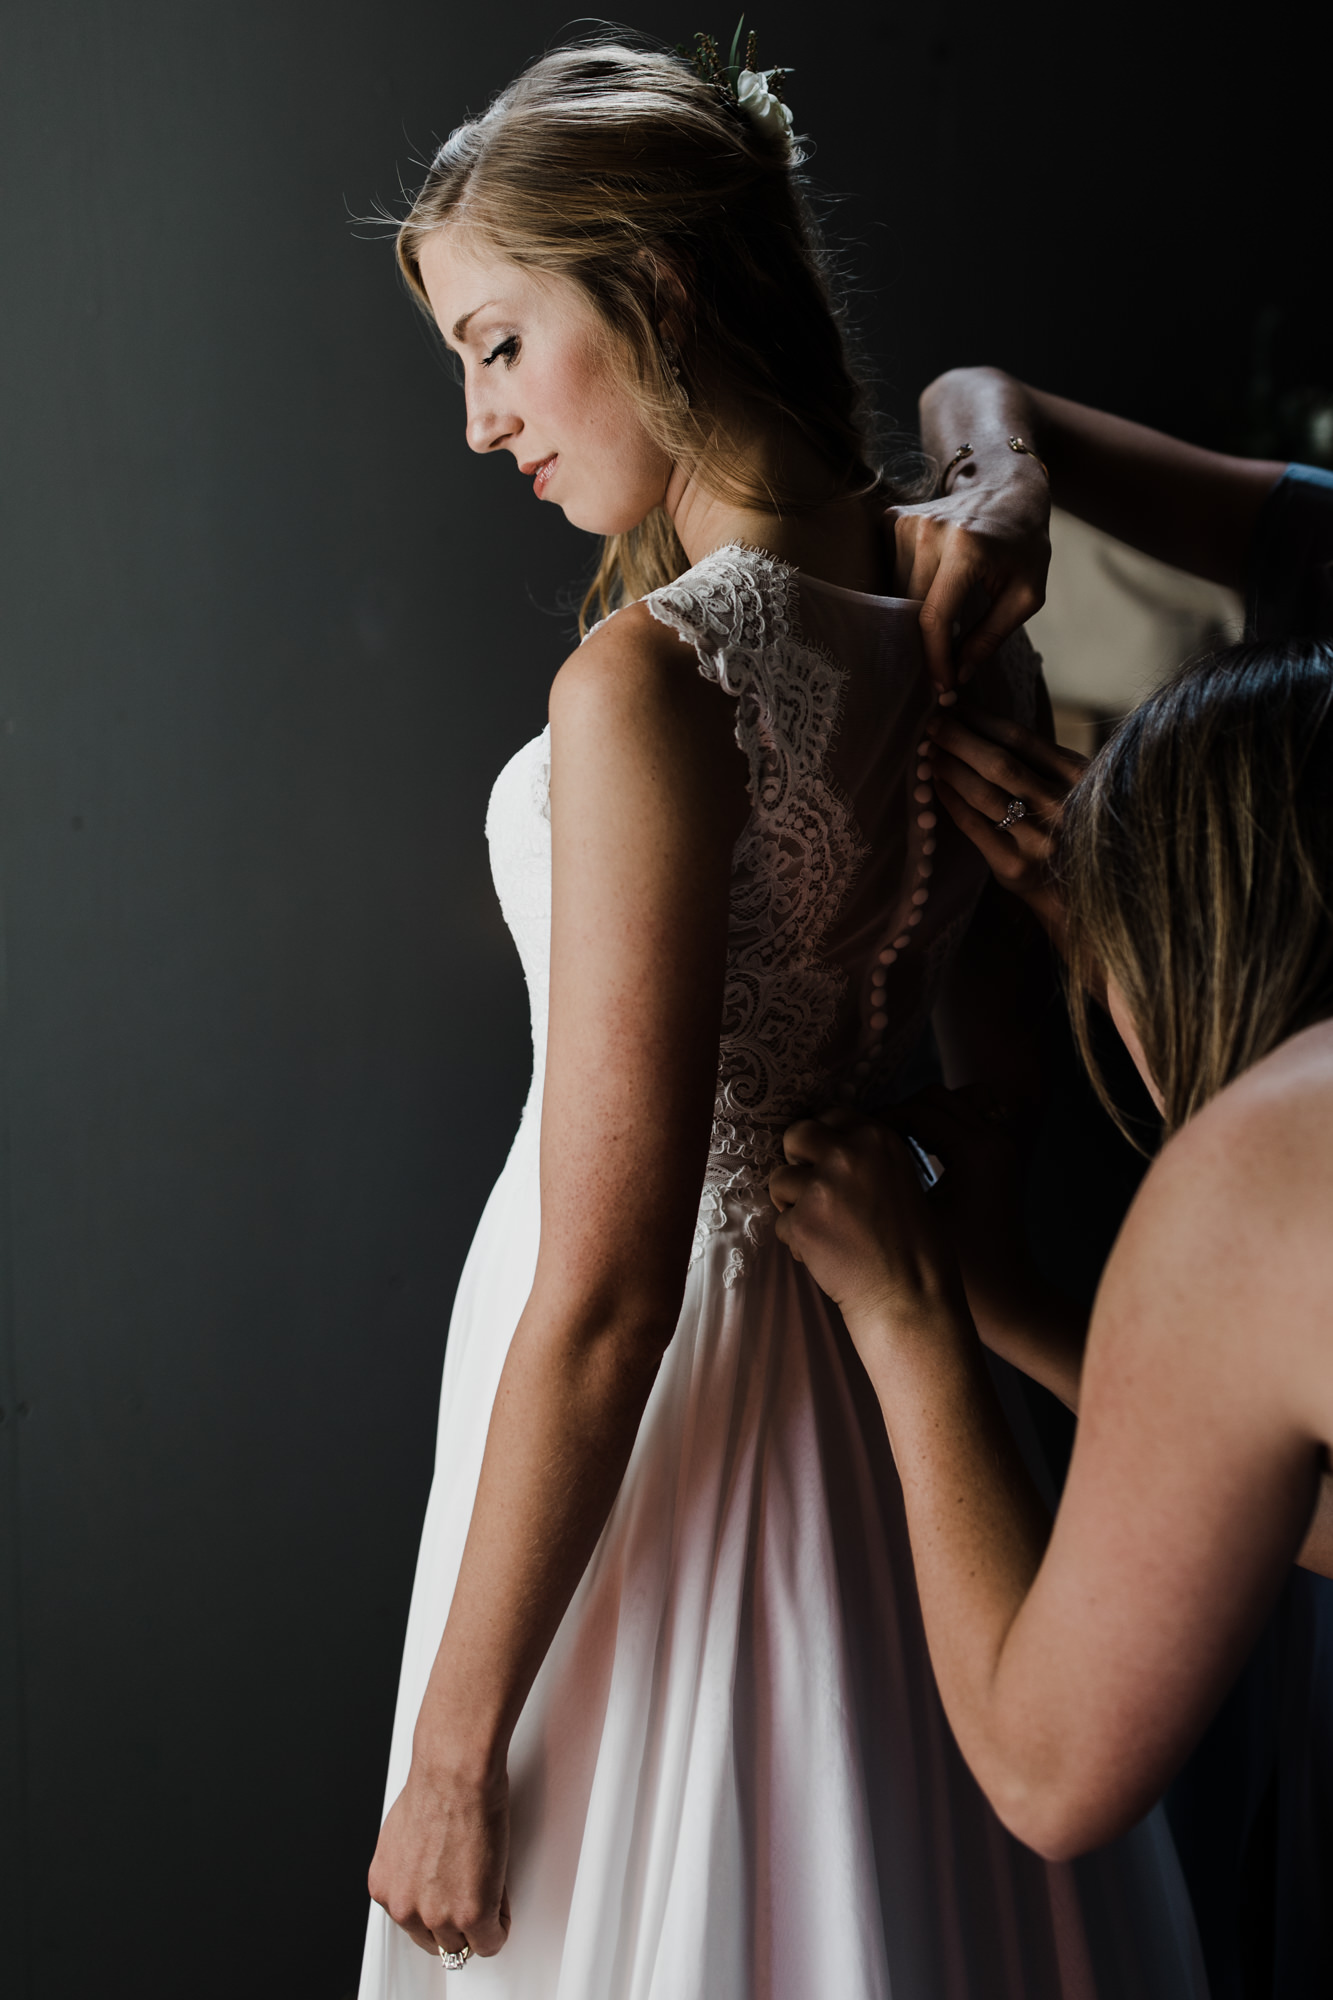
1080, 1663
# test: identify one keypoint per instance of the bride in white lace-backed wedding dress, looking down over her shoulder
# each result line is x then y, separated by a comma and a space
668, 1727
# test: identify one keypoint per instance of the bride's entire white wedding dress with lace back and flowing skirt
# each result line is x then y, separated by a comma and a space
734, 1779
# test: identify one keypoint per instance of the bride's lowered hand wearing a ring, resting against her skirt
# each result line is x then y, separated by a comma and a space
441, 1859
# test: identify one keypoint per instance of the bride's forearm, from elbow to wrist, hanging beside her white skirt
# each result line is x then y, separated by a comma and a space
563, 1425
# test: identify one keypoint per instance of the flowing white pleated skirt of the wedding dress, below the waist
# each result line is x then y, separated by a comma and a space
734, 1779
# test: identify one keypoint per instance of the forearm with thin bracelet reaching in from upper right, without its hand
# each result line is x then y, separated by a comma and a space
1172, 501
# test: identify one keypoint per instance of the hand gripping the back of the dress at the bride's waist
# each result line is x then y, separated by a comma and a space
854, 1213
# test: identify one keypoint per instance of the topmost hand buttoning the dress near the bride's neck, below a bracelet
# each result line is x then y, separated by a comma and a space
976, 555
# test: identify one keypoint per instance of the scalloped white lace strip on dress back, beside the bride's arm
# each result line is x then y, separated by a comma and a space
792, 867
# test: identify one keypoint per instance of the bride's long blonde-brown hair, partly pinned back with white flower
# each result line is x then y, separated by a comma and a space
621, 171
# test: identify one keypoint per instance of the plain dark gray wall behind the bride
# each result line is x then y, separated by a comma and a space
267, 637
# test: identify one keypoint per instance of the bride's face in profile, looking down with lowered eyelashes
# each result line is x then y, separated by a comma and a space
541, 385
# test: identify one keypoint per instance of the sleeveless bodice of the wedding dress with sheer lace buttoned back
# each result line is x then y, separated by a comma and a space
850, 889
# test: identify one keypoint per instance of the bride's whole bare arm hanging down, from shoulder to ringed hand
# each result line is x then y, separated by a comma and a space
647, 797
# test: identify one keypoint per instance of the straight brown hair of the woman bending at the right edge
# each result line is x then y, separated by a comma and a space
1198, 863
